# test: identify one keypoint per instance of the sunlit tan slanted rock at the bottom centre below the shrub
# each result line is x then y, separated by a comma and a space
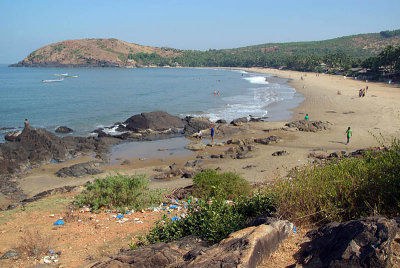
244, 248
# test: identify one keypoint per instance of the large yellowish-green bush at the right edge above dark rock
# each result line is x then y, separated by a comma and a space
342, 190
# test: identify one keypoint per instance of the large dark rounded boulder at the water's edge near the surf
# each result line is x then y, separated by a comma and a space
157, 120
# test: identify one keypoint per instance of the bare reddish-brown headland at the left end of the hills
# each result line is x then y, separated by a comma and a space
90, 53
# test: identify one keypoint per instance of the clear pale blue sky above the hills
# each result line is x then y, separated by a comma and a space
187, 24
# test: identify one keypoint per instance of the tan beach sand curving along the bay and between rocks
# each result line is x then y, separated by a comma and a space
327, 98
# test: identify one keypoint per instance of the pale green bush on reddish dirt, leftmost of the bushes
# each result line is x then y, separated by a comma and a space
118, 192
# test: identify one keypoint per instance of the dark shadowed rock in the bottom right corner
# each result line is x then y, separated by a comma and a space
359, 243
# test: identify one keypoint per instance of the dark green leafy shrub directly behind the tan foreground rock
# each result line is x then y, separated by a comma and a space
213, 221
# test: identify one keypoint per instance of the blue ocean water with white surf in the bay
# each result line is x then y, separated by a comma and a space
100, 97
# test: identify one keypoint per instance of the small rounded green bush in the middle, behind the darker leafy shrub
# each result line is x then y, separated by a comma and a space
227, 185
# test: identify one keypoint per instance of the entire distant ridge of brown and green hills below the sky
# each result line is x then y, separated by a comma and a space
117, 53
